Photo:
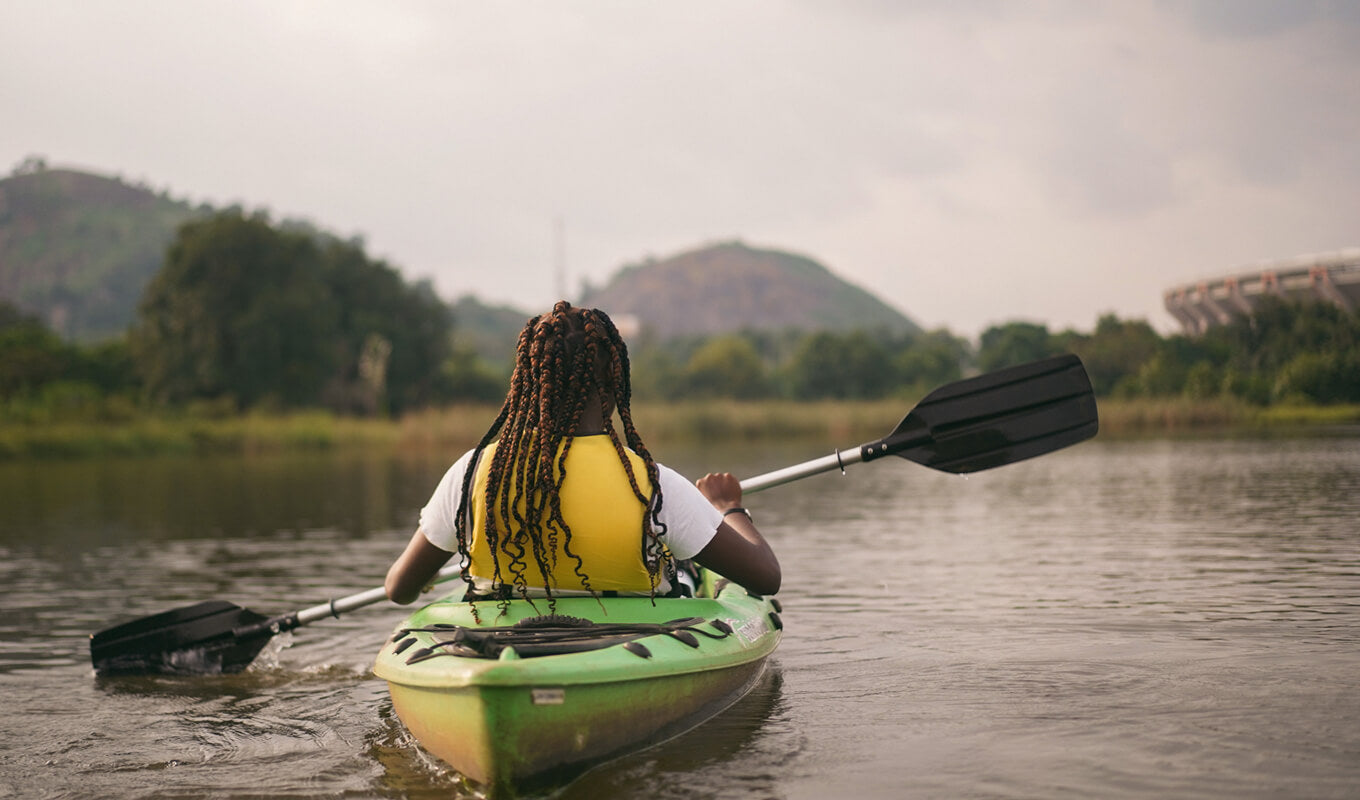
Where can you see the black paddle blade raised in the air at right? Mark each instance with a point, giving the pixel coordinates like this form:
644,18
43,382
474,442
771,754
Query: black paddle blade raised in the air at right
996,420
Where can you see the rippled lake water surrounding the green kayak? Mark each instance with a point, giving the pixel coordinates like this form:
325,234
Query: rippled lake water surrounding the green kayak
1121,620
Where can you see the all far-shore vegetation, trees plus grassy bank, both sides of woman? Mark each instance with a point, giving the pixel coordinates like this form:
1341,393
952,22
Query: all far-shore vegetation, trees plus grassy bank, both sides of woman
260,337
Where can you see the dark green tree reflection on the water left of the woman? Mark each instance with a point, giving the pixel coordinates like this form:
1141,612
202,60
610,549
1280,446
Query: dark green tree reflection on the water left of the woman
122,501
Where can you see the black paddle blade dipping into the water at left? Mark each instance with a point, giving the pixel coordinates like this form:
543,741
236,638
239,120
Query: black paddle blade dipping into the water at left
194,640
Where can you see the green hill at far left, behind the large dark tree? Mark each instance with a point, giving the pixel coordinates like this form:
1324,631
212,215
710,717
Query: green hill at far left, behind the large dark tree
77,250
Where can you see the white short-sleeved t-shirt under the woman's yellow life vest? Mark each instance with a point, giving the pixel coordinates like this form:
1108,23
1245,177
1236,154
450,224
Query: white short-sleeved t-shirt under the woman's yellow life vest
689,518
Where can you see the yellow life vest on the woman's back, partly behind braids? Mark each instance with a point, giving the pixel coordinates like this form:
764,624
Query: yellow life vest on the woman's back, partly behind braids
605,516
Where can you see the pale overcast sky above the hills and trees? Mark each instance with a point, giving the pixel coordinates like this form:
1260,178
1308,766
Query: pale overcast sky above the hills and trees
970,163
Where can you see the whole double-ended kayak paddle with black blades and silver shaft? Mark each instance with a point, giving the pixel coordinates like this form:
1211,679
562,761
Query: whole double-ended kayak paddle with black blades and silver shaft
984,422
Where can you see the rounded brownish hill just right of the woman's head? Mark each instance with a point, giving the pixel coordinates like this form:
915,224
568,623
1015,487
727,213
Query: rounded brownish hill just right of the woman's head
730,288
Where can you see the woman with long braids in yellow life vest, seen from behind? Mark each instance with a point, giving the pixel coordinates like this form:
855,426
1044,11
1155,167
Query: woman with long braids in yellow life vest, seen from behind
553,503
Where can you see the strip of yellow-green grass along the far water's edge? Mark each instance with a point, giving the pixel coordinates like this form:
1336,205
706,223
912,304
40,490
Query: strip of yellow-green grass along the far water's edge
460,427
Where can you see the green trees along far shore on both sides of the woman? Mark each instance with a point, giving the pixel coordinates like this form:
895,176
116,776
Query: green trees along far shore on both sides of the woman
248,315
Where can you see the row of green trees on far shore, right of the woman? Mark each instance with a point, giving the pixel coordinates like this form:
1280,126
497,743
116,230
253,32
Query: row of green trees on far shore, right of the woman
1285,353
